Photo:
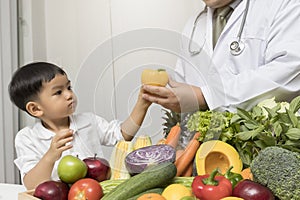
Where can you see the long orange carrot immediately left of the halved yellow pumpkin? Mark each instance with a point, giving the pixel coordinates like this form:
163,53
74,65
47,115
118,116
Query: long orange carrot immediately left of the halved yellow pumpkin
188,155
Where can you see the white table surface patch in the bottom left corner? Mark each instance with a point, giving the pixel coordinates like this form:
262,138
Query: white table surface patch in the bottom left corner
10,191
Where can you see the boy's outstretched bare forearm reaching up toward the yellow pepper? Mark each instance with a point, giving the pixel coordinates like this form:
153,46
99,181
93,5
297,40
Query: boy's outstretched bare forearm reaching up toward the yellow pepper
132,124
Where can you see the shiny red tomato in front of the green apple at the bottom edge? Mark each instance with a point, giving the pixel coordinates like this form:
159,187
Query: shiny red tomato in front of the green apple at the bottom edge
85,188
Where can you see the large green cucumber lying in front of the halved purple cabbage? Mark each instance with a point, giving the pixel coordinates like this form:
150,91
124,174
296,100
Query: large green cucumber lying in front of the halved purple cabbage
155,176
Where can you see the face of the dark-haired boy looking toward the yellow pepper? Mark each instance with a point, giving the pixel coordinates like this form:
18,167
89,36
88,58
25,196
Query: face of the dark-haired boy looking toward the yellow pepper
56,99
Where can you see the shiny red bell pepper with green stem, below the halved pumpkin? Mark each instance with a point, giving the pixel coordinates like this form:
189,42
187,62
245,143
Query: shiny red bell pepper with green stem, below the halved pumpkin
211,186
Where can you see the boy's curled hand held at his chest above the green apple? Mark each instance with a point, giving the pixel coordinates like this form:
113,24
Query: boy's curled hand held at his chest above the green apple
60,142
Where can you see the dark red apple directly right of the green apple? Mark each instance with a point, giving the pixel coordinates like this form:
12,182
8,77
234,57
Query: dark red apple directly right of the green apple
98,168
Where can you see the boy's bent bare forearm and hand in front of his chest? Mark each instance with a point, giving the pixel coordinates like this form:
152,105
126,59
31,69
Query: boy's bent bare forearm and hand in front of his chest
43,169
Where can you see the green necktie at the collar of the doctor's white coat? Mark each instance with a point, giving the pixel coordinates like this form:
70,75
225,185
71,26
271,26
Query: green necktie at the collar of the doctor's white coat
221,15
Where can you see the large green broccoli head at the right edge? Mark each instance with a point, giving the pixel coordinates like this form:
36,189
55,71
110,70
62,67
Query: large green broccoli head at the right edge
279,170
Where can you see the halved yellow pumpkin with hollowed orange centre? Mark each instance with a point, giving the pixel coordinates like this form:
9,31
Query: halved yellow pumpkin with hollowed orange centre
217,154
